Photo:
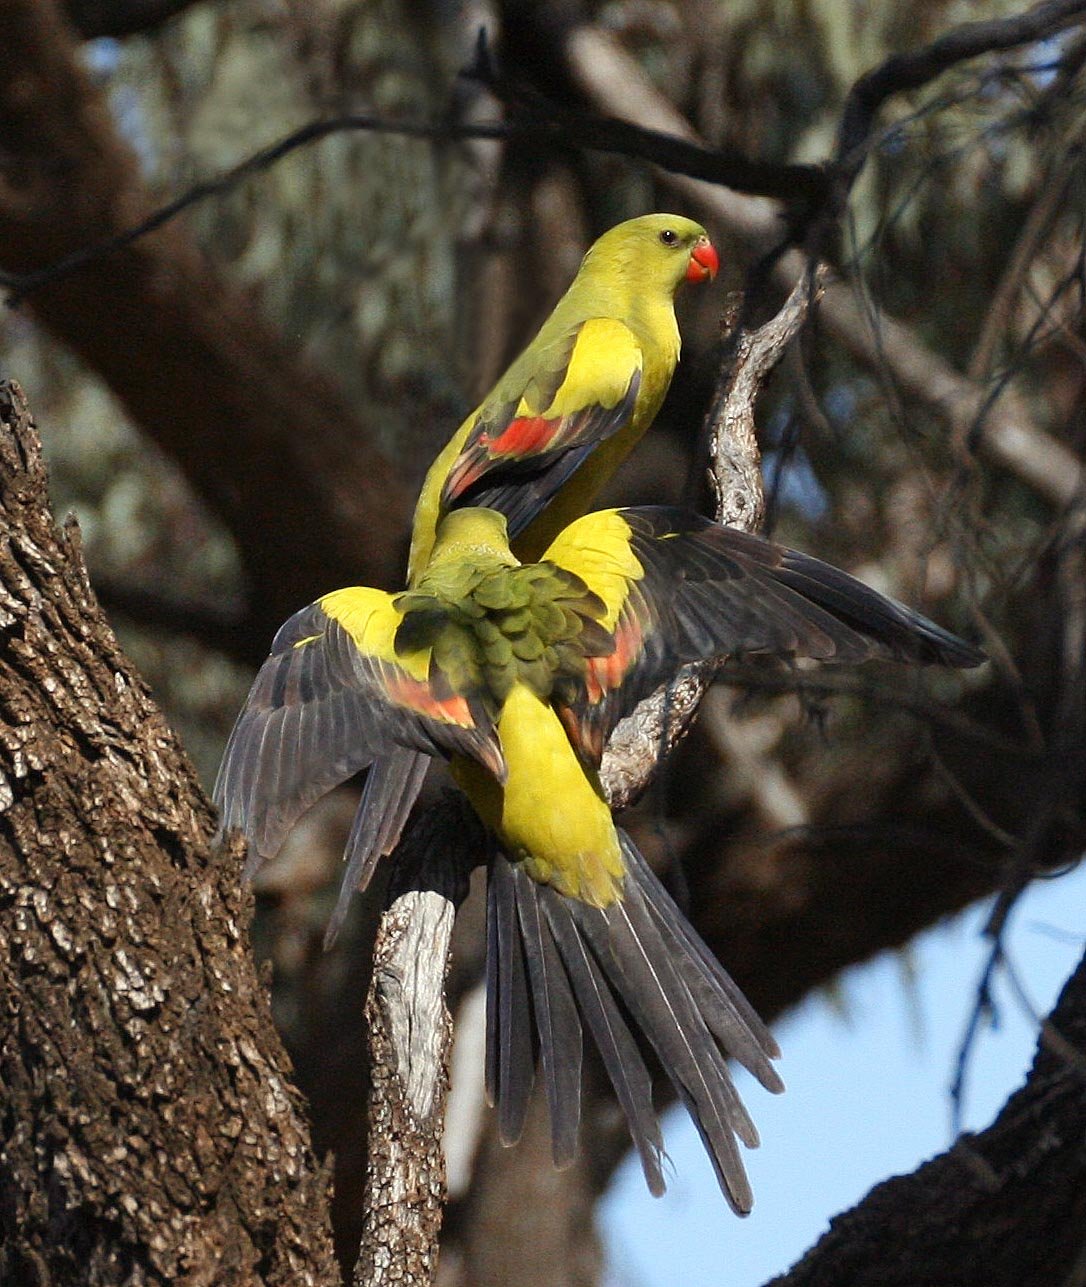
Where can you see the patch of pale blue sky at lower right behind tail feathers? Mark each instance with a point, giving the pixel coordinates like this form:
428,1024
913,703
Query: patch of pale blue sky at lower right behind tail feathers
868,1097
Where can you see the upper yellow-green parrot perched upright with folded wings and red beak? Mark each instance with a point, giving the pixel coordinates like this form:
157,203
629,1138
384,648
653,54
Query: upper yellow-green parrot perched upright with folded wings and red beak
553,432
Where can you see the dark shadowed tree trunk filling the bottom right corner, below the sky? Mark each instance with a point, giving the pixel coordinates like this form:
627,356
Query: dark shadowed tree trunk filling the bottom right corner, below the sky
1002,1209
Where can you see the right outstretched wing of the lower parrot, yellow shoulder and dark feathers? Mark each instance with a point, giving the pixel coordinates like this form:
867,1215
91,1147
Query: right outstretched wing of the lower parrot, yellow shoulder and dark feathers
681,589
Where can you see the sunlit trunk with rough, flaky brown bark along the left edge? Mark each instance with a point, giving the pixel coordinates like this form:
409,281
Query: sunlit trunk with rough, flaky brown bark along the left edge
150,1132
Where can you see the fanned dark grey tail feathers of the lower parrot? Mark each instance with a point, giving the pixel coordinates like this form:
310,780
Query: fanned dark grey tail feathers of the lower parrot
635,962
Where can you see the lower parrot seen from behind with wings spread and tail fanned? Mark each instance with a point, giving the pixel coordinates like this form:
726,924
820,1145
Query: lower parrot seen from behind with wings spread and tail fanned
518,674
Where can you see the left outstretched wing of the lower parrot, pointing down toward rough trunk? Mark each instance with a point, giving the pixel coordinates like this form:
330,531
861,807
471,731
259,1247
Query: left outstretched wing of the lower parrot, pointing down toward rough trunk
334,696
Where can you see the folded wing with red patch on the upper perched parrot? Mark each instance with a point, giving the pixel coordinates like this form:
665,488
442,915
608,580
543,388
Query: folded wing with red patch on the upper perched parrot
555,406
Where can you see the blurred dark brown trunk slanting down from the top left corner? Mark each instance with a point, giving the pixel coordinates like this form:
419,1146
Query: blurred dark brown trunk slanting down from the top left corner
270,445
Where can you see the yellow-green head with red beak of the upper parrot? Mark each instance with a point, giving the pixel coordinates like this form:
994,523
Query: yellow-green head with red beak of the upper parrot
658,250
